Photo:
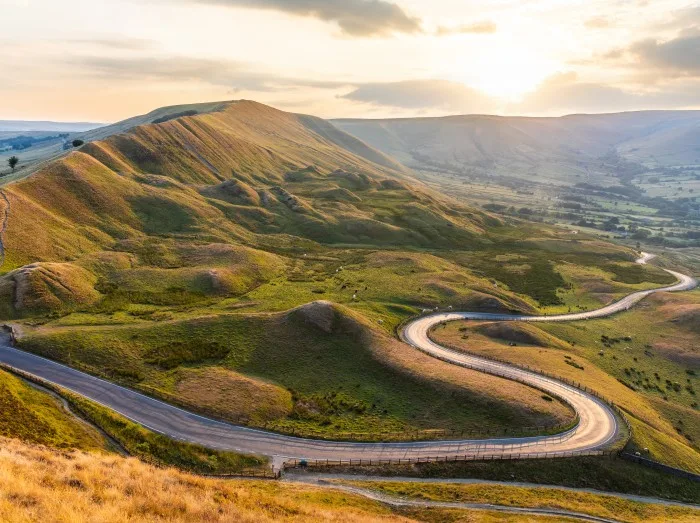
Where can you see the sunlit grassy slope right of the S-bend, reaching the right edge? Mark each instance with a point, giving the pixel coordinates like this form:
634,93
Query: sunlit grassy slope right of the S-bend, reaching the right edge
640,359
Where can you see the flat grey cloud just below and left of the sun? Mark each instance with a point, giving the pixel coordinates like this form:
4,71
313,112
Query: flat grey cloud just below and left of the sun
423,94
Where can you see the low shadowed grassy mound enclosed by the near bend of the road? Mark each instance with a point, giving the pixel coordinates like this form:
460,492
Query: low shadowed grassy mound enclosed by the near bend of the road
318,370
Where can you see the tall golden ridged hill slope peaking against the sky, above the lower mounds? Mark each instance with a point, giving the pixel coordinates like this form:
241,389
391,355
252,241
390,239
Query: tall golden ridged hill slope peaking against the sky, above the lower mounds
224,175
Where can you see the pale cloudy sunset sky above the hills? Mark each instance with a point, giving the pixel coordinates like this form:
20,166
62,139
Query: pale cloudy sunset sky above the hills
106,60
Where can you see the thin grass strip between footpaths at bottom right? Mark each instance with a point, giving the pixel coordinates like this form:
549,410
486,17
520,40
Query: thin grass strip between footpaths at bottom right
582,502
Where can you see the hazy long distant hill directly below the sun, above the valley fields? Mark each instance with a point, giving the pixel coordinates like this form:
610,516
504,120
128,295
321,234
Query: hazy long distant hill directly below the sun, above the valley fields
550,148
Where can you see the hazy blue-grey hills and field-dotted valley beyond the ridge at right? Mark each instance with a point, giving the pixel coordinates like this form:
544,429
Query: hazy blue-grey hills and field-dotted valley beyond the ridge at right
627,175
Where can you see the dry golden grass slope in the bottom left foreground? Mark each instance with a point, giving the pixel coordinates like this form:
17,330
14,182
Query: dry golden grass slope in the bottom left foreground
38,484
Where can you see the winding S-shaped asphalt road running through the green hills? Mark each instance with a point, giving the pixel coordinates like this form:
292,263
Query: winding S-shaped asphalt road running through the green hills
597,425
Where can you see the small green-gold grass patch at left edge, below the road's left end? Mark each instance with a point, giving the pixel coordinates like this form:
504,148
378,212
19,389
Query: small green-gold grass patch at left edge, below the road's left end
35,416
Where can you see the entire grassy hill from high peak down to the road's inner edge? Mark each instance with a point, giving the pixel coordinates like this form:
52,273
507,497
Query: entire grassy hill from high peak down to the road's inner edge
185,251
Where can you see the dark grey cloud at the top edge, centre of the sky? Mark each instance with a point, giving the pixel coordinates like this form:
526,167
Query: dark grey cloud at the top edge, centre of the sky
354,17
